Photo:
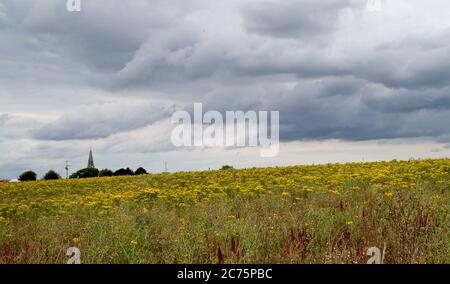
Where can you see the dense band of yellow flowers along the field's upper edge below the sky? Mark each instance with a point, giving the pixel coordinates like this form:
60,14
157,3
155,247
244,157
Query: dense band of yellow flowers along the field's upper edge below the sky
189,189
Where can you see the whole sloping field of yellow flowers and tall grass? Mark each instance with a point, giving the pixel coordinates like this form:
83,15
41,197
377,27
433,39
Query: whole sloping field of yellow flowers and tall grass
303,214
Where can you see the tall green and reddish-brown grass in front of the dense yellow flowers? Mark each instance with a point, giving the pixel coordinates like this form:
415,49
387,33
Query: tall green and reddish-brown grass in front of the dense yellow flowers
409,226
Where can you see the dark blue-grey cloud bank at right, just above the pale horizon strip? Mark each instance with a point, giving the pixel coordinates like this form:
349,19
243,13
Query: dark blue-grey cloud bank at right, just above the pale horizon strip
362,112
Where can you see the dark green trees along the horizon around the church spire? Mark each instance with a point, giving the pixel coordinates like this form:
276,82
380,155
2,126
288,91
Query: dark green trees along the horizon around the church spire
83,173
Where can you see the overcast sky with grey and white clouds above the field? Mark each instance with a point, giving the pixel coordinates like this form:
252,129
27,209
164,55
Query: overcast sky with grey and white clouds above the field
351,84
